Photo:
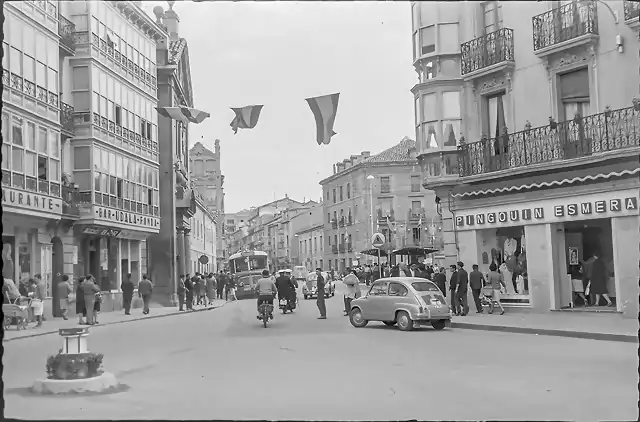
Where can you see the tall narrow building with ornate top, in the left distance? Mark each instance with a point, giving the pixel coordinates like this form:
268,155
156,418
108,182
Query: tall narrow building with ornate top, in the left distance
206,173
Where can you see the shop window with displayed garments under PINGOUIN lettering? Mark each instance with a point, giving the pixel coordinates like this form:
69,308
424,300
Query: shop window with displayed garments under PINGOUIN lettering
505,247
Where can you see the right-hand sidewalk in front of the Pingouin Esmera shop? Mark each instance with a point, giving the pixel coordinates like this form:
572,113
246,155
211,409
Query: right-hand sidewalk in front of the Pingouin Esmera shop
596,326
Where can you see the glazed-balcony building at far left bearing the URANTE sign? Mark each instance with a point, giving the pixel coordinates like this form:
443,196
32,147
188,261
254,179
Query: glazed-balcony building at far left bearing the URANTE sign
38,198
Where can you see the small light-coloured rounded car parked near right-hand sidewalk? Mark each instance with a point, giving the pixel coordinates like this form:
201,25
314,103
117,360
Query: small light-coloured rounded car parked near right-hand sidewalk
405,301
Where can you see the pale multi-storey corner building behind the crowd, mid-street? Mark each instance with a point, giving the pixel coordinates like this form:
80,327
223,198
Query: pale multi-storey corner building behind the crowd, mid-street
380,193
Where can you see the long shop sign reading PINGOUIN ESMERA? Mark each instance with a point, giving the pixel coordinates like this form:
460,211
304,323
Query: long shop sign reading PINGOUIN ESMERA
550,211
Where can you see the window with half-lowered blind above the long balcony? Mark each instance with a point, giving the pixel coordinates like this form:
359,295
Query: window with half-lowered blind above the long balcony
574,94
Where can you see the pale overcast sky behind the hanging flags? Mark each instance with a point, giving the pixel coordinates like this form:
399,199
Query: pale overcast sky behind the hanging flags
280,53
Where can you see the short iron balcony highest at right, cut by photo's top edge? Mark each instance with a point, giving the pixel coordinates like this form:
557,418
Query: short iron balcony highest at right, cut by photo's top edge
564,27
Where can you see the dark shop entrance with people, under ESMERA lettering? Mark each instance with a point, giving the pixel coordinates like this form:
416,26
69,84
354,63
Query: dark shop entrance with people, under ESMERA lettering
589,259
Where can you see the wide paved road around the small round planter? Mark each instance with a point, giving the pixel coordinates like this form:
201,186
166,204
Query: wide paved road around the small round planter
223,365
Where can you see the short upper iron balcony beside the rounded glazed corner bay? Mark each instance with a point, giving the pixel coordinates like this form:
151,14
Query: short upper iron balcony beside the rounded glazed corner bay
490,53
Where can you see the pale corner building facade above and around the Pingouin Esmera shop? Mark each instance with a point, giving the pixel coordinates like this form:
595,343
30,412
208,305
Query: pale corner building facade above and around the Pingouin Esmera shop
547,169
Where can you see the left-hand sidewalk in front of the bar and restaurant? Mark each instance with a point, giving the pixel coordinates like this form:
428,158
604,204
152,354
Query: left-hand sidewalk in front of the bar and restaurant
51,326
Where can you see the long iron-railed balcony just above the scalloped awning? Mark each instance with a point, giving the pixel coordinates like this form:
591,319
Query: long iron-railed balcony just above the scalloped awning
580,137
